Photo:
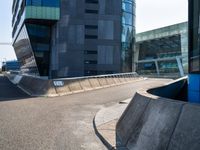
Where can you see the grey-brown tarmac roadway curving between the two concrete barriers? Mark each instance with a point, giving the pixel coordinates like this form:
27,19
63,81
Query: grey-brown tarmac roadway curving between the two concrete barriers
60,123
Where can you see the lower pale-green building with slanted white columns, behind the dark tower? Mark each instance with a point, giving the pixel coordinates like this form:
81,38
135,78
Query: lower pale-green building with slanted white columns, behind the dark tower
162,51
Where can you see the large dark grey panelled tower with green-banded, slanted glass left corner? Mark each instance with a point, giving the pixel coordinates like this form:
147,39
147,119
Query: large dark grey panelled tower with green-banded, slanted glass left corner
72,38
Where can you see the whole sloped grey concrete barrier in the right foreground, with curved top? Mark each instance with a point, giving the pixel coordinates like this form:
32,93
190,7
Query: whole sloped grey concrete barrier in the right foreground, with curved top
156,123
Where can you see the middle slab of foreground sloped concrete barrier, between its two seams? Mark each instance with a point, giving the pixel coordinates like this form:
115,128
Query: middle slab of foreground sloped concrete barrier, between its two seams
154,128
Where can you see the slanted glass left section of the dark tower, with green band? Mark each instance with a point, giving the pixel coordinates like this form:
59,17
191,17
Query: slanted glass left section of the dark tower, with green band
32,42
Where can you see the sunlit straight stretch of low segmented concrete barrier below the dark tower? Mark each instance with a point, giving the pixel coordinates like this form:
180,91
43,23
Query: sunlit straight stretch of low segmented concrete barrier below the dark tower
73,85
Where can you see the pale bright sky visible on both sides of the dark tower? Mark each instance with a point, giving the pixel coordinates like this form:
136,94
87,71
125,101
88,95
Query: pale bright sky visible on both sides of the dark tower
150,14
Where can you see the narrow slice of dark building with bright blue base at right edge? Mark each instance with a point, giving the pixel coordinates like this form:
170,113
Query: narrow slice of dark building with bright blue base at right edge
194,51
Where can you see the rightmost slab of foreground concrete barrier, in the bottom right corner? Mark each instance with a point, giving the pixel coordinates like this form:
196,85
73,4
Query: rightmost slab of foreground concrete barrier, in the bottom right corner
187,133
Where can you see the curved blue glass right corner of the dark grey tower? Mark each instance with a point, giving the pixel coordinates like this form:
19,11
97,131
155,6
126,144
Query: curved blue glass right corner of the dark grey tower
128,32
